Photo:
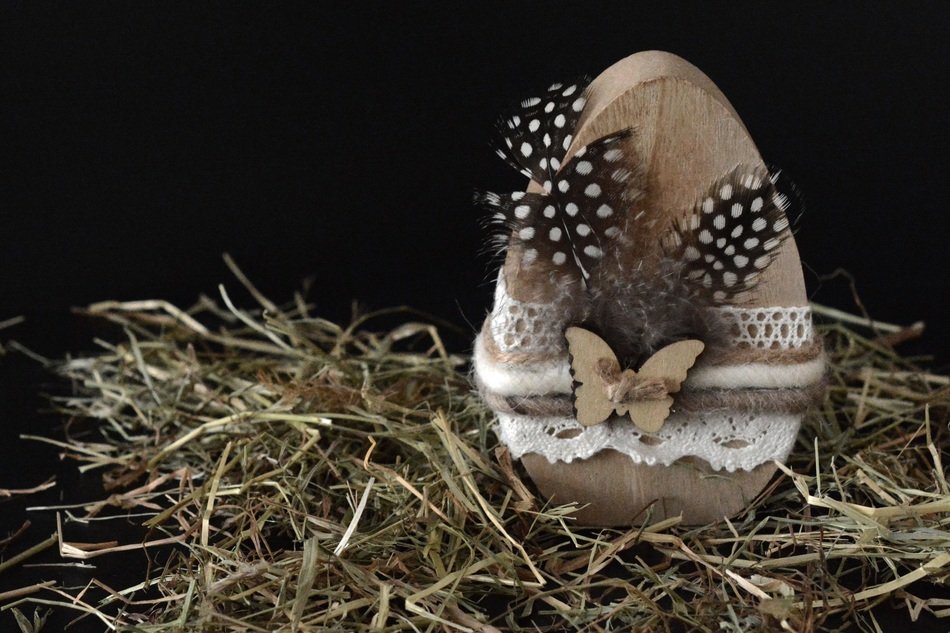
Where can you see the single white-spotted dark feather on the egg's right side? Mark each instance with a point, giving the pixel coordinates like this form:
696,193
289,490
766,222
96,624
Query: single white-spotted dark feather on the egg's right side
733,233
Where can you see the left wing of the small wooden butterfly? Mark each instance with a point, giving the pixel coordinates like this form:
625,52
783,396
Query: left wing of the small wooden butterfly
590,399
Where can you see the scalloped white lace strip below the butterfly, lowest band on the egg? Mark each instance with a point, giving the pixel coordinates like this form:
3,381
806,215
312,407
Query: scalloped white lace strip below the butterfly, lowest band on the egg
726,441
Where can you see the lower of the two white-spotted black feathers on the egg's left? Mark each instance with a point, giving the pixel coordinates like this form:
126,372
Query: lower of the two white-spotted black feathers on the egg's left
570,226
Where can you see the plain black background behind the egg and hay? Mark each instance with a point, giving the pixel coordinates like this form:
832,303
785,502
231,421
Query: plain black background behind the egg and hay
138,142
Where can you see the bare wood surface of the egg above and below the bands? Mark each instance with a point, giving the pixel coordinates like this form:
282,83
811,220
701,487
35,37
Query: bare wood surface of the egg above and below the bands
687,136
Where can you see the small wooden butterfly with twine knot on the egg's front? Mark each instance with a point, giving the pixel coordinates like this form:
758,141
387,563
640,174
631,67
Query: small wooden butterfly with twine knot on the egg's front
602,388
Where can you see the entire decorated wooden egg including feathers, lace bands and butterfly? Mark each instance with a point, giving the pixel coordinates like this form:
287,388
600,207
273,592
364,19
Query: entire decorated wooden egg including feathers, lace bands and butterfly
650,345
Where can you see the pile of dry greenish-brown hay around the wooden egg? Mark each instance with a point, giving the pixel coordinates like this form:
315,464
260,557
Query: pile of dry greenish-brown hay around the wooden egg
314,477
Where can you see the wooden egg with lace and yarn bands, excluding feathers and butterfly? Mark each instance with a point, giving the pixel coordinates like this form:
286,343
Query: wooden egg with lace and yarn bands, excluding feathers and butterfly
709,460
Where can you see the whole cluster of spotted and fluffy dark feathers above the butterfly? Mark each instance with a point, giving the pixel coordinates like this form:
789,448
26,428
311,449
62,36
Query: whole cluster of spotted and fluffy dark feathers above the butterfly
586,221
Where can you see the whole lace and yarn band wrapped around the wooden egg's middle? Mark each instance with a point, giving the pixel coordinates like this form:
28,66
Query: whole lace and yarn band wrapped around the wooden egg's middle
740,406
